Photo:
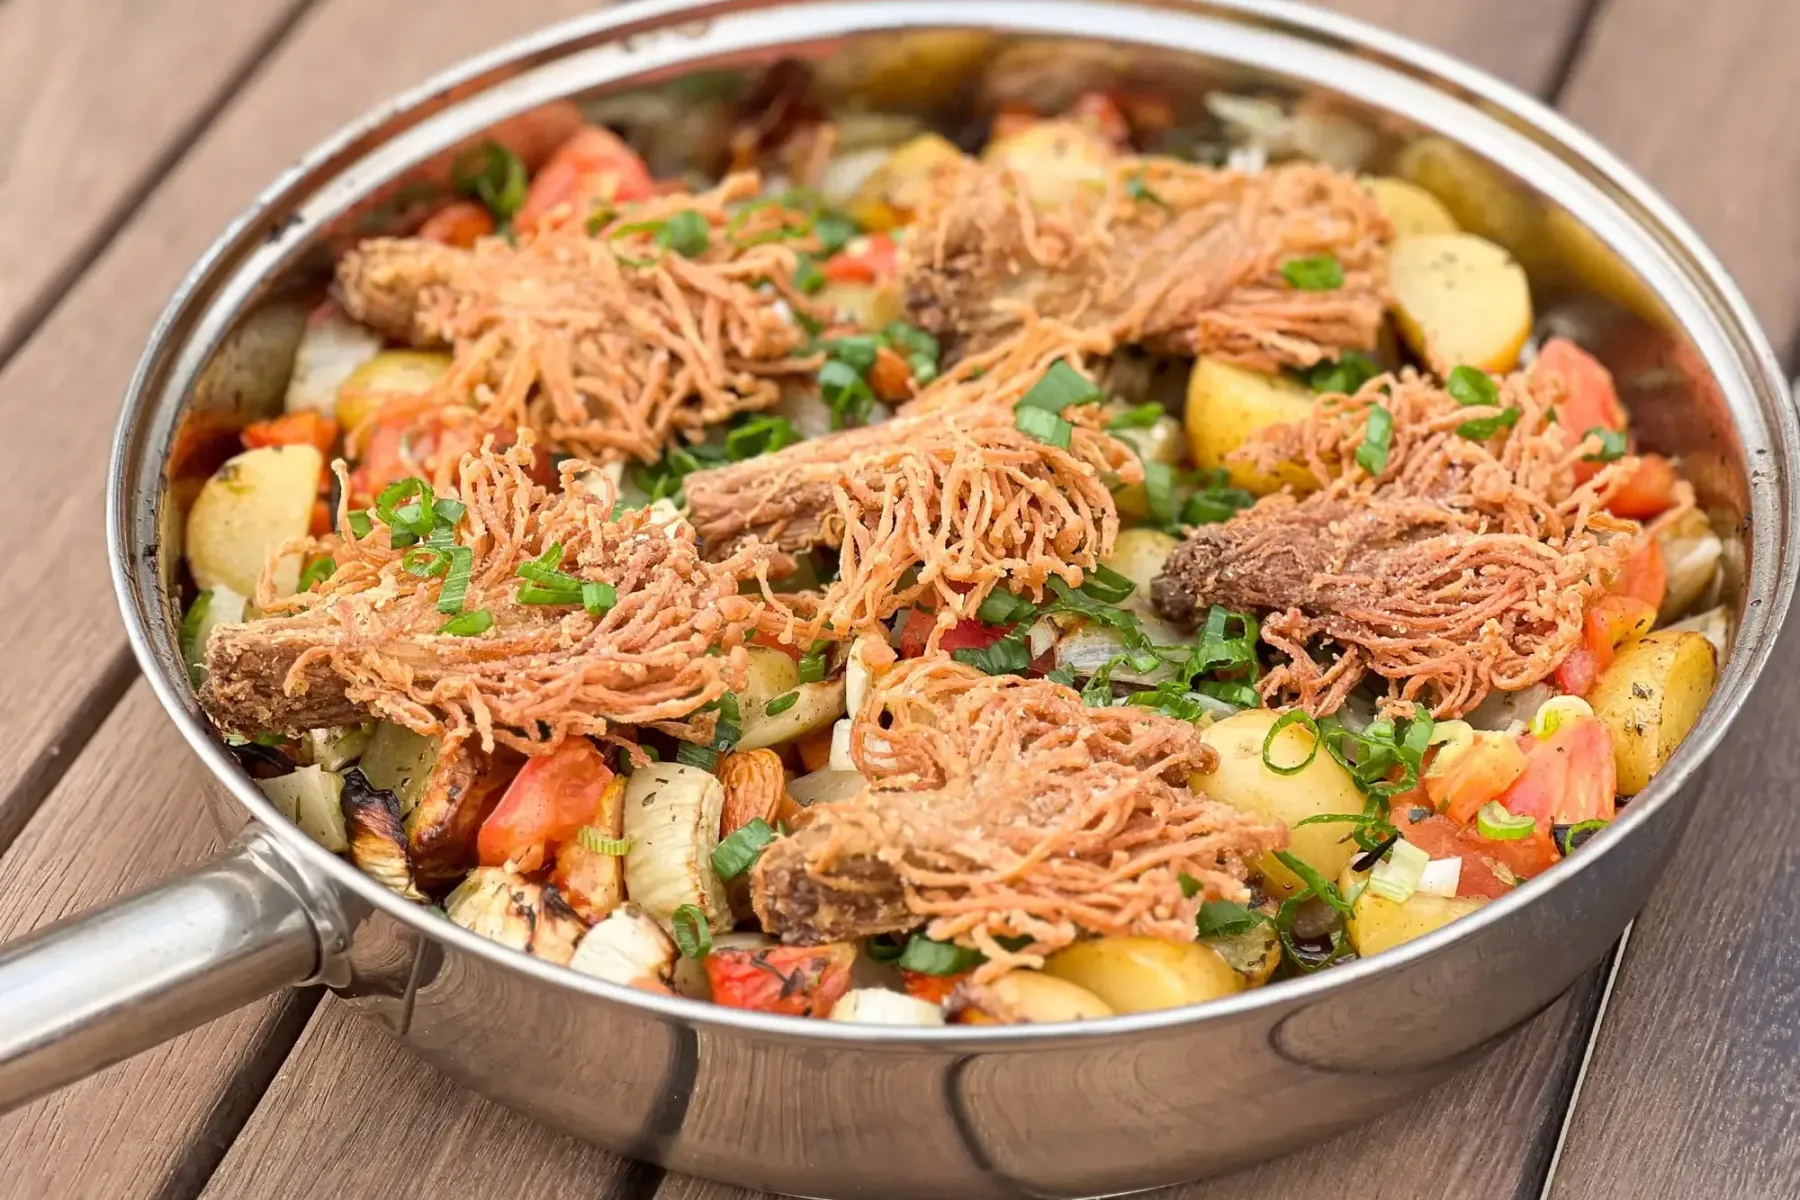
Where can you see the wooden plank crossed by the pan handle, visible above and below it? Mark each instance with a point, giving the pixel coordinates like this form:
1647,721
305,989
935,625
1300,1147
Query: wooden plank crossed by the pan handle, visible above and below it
154,1125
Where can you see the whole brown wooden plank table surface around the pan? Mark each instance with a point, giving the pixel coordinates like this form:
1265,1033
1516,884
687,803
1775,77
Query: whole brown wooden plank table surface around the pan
130,134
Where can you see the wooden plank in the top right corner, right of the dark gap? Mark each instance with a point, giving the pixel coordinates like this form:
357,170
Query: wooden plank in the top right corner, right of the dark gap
1702,100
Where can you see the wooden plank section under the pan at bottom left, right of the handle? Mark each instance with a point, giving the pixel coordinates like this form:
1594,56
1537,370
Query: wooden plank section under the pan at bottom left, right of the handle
357,1118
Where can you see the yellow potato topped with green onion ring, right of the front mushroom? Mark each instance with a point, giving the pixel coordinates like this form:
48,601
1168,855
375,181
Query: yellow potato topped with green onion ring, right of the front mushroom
1320,787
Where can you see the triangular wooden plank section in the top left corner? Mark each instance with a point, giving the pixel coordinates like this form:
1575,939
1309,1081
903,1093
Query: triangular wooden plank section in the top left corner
94,98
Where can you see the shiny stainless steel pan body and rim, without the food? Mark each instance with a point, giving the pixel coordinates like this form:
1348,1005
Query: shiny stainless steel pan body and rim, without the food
1108,1107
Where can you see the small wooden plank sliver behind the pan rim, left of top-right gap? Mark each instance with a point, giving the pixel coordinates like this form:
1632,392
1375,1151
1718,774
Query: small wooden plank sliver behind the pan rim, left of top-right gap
1522,42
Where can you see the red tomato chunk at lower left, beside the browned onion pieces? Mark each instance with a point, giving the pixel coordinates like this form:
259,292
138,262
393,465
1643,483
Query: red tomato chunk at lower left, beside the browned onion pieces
544,807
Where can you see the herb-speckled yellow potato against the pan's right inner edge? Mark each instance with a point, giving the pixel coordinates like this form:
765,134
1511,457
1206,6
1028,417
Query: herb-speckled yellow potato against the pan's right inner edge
1650,701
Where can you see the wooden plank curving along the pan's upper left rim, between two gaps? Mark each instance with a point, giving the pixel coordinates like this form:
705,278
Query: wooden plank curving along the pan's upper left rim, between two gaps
58,397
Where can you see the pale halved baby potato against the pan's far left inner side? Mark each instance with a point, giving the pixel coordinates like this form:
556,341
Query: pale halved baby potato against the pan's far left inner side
251,506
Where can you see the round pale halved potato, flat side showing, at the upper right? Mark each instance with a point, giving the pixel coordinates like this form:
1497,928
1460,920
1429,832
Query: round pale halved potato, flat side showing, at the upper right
1461,301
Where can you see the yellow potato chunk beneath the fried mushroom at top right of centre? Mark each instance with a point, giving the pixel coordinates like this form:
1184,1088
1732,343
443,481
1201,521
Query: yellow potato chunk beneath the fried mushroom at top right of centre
1227,406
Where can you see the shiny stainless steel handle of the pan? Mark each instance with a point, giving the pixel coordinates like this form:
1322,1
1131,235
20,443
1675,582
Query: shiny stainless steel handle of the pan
105,985
